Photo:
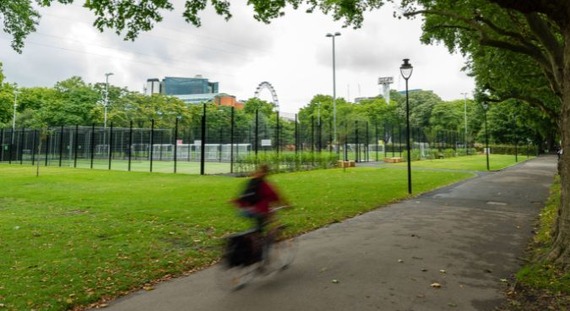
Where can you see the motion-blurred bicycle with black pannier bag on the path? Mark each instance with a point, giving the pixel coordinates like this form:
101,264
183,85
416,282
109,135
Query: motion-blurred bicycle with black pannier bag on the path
250,253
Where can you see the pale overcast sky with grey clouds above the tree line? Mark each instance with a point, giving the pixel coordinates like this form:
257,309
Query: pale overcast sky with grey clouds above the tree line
292,54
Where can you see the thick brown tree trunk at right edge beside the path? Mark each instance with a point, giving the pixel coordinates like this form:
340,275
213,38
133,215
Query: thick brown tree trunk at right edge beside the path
560,253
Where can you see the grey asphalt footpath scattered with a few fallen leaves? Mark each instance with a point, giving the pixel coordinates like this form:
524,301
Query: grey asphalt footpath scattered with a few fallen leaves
455,248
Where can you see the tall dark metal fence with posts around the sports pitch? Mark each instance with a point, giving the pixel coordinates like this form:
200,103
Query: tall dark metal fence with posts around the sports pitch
220,146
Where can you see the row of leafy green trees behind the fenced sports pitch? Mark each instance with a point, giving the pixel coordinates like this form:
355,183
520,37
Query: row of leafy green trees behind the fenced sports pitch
74,102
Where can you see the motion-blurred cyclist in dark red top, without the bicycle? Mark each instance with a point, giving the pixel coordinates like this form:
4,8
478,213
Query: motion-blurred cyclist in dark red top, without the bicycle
256,200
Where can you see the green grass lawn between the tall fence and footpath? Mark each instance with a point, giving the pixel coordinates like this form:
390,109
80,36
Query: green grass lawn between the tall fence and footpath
71,237
